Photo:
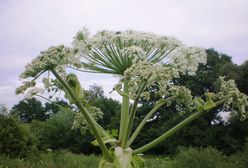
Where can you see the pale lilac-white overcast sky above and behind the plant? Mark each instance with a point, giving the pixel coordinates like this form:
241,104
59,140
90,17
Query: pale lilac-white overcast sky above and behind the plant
30,26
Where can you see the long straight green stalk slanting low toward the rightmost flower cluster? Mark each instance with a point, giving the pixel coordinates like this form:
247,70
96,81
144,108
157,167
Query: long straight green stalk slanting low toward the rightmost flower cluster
175,129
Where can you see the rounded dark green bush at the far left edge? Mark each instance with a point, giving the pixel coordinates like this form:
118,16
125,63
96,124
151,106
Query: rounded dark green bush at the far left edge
16,139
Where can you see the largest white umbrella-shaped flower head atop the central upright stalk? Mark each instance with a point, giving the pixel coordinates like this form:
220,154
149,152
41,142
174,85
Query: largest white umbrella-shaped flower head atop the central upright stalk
129,46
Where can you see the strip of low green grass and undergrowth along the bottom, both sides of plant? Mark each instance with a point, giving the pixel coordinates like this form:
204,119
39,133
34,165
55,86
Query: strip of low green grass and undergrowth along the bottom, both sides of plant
186,158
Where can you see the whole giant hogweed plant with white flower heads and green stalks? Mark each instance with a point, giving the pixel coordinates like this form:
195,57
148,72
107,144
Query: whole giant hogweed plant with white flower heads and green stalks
140,61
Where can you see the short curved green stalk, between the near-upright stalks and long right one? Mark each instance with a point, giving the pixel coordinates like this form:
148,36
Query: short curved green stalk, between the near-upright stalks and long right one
143,122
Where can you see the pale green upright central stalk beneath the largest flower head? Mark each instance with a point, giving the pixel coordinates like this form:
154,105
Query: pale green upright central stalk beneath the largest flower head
124,112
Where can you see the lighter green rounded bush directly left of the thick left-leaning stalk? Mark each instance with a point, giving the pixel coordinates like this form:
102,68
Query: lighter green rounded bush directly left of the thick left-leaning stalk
57,134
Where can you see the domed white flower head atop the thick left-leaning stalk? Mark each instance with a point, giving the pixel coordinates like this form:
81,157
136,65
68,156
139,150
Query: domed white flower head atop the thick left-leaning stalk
54,57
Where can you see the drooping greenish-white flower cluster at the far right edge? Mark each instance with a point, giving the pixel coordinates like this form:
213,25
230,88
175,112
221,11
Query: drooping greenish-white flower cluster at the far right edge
237,101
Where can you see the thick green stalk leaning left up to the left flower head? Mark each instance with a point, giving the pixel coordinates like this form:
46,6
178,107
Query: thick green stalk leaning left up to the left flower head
87,116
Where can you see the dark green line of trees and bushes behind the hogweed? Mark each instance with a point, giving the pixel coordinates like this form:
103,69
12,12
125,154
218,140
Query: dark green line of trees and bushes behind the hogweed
32,126
